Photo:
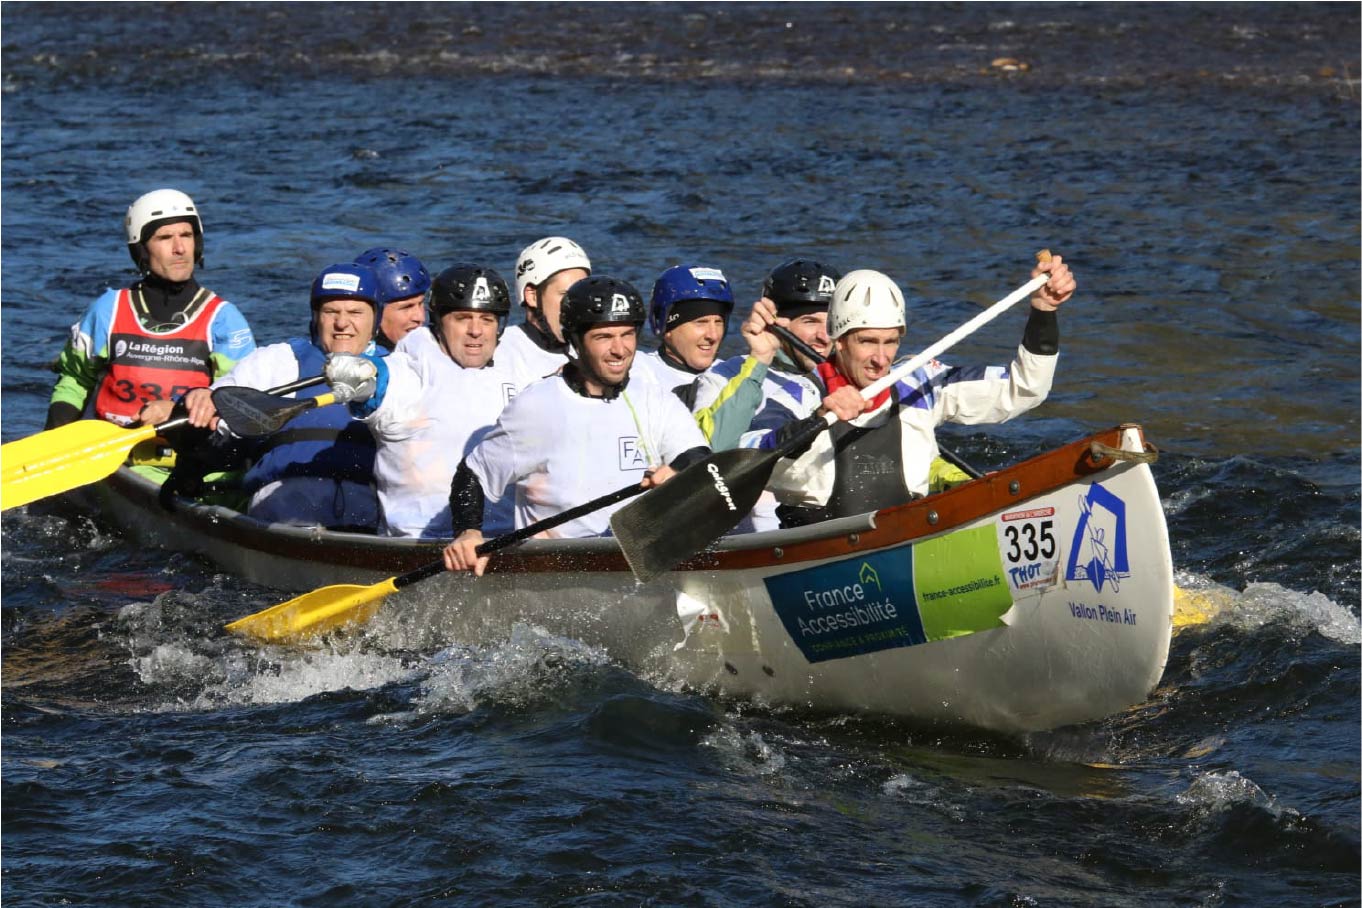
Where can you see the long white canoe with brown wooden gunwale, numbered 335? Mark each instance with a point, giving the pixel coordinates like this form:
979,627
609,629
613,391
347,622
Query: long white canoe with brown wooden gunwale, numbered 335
1037,597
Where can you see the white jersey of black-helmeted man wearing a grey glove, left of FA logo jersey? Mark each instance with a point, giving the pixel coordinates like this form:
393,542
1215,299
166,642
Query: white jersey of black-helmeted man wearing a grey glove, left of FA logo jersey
431,415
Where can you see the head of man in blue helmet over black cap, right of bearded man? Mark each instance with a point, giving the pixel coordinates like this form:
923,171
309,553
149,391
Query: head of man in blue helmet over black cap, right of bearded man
688,315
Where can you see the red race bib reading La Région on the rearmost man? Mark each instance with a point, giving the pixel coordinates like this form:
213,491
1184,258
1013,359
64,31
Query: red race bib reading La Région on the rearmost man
155,366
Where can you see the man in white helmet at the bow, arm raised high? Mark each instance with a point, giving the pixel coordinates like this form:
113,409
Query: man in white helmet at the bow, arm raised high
881,453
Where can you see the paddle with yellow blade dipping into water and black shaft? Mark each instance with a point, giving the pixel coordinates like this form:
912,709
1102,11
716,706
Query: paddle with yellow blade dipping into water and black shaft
332,608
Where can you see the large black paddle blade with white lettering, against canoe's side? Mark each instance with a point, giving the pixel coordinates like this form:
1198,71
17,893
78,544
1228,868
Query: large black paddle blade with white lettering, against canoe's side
693,510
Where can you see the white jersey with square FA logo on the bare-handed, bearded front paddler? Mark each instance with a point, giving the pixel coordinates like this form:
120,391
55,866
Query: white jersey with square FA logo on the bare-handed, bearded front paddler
560,450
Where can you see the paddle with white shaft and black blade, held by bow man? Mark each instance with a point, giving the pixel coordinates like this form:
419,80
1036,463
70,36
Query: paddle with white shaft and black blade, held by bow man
708,499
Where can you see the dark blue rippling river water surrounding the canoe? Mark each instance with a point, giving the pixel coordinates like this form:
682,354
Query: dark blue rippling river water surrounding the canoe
1197,164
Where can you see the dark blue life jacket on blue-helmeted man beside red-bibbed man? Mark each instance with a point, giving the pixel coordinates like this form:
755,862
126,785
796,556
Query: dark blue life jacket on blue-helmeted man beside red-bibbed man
323,442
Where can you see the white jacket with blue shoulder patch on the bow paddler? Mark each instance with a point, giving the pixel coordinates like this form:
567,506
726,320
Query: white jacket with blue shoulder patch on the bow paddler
930,397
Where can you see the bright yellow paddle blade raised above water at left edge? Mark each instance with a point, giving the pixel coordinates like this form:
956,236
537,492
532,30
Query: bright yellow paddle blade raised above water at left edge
63,459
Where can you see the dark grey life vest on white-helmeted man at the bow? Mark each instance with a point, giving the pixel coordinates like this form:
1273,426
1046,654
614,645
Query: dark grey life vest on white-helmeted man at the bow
868,473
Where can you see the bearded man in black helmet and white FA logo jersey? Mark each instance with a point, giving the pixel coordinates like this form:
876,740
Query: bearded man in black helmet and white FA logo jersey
578,435
